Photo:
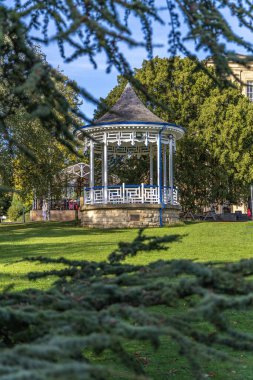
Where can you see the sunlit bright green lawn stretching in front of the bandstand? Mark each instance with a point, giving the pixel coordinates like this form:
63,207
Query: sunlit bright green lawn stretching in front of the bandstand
201,241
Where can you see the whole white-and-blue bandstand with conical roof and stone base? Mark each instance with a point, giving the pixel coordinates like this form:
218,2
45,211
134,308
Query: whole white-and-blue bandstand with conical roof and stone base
129,128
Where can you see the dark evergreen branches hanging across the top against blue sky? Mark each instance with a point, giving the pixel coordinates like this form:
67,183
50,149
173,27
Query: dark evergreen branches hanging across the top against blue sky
94,26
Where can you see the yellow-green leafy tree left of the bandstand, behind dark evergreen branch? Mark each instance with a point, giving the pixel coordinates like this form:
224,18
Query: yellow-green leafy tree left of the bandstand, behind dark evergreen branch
40,175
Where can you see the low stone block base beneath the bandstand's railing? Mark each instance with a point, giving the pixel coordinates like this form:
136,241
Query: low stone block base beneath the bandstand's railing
128,215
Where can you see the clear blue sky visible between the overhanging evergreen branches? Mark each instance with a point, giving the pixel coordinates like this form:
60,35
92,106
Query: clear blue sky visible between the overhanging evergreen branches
97,81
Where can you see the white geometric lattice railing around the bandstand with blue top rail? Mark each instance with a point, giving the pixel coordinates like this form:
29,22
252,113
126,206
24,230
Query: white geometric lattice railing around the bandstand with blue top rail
120,194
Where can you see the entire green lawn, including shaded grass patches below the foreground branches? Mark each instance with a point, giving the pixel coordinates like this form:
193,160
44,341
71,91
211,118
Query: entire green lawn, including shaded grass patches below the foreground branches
199,241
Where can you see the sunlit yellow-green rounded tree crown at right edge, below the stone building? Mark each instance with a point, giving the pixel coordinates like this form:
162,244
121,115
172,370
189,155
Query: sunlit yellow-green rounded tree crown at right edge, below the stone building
230,137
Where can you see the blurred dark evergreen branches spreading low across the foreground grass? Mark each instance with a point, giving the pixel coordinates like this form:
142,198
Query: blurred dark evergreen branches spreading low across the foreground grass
98,306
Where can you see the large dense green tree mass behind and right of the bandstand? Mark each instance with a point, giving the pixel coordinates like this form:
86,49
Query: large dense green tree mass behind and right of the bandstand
214,160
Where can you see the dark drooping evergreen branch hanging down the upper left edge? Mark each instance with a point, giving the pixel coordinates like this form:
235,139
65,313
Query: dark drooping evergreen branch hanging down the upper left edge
28,83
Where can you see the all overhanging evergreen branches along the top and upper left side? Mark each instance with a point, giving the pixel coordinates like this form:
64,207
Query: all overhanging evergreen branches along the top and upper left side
93,27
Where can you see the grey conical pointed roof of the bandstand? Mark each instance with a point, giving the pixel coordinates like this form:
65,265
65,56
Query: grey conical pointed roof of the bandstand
128,108
